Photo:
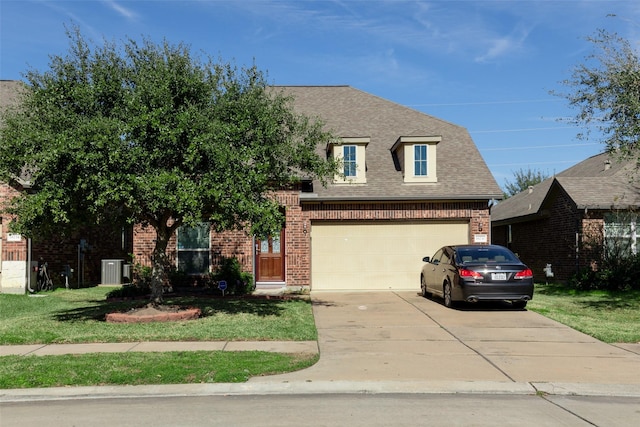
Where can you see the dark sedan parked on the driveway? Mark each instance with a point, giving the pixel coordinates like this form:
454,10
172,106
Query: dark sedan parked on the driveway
475,273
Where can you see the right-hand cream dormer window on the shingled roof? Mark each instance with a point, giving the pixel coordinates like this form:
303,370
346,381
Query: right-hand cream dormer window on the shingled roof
416,156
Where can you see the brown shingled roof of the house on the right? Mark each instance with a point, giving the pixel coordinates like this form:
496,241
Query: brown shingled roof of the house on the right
599,182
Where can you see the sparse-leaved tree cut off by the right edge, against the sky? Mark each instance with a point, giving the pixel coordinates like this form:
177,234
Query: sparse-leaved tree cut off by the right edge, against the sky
605,90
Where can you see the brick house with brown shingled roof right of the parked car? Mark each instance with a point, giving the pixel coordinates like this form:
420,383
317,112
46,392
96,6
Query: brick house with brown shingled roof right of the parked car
564,220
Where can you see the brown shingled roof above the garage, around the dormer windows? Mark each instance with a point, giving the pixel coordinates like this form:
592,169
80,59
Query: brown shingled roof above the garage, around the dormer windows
348,112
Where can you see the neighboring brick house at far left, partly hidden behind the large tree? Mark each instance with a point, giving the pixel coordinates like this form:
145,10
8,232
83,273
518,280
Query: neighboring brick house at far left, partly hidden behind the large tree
83,252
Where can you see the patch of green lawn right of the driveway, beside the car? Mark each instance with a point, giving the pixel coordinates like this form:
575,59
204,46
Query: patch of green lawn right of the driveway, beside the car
612,317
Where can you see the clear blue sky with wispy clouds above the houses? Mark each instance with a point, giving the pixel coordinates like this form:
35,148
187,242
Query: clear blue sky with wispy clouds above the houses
485,65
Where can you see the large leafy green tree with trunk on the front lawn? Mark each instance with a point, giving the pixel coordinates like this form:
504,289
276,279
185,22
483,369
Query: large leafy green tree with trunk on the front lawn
149,133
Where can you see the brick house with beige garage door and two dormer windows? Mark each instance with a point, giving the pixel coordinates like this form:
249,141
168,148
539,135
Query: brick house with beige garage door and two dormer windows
412,184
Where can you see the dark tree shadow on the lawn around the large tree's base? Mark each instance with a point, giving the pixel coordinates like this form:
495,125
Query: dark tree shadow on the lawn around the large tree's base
208,306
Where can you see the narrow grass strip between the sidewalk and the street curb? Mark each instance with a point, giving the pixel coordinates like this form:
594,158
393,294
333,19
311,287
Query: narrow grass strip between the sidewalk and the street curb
145,368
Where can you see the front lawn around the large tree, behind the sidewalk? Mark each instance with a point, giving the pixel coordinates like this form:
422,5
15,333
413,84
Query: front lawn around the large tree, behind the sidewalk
78,316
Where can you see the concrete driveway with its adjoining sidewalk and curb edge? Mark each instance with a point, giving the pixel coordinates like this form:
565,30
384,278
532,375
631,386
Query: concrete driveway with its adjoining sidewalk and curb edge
399,342
